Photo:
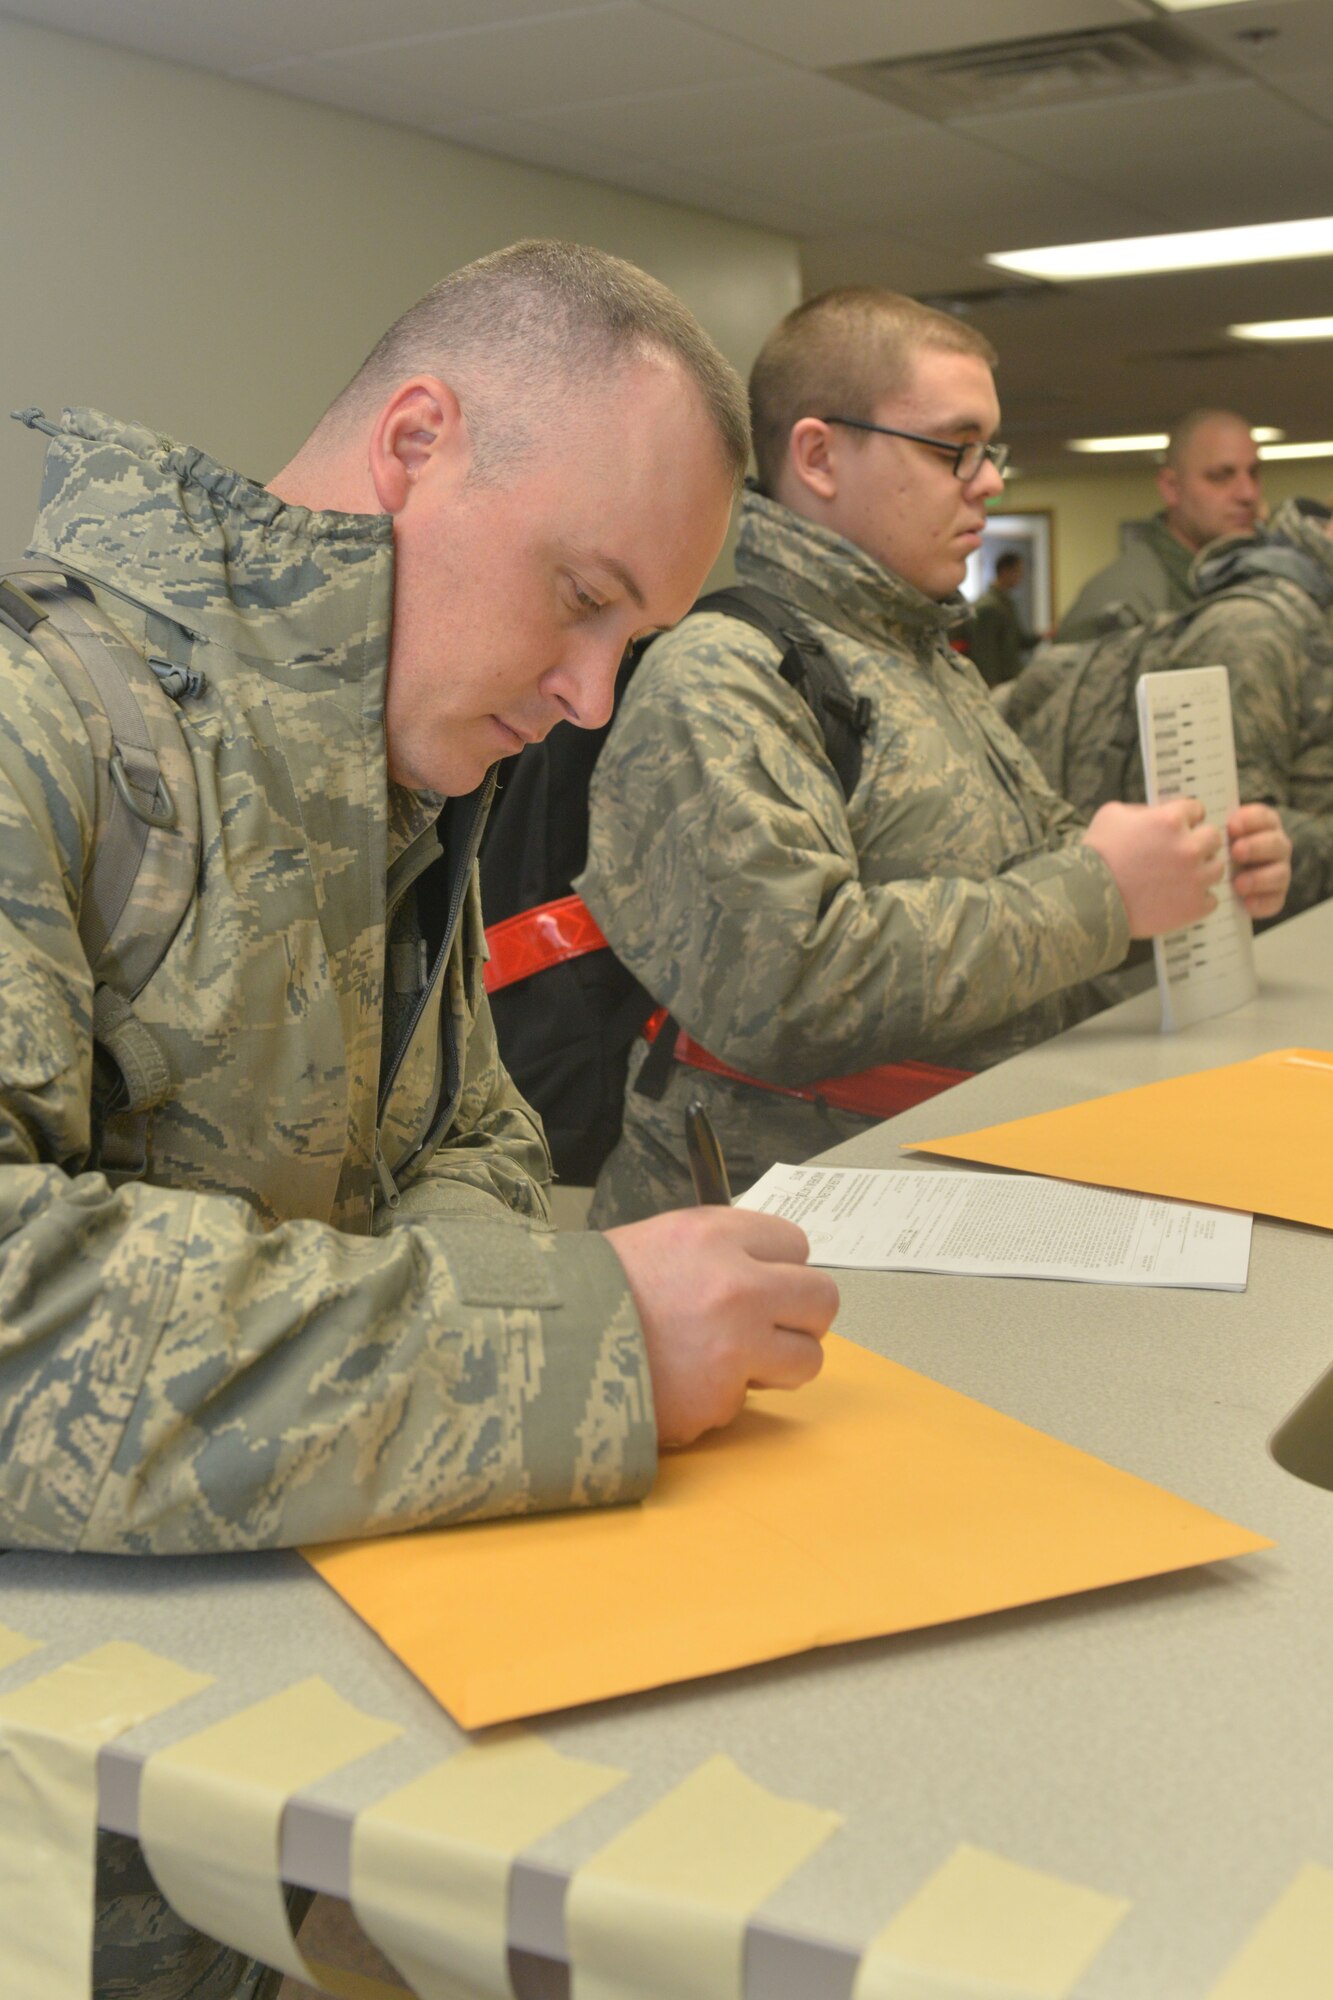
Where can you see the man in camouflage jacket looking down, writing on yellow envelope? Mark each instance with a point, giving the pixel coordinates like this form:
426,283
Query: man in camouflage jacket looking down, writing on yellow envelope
305,1285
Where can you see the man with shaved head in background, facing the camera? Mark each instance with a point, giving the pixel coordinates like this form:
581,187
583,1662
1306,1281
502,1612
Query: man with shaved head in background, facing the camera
1210,487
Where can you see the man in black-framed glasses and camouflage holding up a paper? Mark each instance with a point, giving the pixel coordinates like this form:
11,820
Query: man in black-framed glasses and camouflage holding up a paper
830,959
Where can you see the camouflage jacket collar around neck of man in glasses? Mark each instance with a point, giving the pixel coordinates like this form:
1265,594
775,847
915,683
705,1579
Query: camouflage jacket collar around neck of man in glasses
834,581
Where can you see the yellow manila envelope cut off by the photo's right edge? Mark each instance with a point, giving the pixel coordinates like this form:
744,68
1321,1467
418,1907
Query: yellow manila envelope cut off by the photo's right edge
1252,1135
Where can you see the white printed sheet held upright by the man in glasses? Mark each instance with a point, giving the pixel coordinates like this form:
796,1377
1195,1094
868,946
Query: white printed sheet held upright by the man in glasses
1190,753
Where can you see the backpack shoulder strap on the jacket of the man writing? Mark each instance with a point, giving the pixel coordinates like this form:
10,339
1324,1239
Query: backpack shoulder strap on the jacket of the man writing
147,803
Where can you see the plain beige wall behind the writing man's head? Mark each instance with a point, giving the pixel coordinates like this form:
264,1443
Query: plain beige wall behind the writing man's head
215,261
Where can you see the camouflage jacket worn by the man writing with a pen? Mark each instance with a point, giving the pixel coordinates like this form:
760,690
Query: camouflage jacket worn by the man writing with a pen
245,1347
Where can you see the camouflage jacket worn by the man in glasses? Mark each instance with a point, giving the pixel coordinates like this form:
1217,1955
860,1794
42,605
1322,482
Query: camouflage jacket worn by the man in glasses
940,915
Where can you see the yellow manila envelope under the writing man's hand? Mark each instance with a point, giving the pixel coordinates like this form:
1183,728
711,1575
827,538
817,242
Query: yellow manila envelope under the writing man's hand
876,1501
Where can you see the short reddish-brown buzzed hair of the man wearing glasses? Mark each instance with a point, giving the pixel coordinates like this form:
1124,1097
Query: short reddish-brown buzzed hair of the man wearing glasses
844,353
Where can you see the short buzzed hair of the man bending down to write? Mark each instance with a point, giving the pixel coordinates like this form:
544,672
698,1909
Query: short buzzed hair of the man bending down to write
523,327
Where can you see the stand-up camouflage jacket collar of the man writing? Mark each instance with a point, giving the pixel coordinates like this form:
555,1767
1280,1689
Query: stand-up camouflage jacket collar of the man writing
211,551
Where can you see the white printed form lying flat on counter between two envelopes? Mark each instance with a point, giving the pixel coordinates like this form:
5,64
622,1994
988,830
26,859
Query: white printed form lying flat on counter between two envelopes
1006,1227
